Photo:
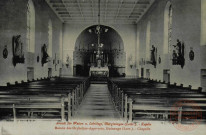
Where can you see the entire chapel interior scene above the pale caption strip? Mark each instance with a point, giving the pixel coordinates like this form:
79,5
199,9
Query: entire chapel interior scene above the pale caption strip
127,60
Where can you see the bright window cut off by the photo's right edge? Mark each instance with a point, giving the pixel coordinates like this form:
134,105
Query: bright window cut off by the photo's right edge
203,22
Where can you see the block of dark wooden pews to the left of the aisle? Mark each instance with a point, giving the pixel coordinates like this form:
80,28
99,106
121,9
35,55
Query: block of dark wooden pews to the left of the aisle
26,97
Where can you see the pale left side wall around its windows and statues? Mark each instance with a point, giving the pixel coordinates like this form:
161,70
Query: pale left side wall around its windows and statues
14,22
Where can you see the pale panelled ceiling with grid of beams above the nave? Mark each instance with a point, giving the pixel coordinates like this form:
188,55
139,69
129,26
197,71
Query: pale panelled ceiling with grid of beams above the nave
111,11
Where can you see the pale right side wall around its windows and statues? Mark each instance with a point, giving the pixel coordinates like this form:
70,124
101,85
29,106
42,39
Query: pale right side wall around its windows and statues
185,27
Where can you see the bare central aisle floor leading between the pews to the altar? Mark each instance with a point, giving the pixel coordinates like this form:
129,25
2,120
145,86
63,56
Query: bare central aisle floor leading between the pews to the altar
97,104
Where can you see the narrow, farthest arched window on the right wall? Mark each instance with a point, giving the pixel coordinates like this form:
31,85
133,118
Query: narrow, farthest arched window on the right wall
148,34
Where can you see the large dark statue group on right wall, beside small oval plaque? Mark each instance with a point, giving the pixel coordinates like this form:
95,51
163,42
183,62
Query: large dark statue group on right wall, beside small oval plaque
178,54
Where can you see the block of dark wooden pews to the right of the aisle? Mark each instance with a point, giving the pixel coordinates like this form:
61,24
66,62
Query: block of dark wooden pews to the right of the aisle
136,100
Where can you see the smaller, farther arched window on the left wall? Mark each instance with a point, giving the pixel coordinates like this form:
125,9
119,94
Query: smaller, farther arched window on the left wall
50,38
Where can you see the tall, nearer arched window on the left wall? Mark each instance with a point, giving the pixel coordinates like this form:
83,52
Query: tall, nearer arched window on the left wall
31,26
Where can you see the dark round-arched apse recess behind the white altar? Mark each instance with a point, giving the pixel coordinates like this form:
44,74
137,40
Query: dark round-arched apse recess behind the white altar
111,51
